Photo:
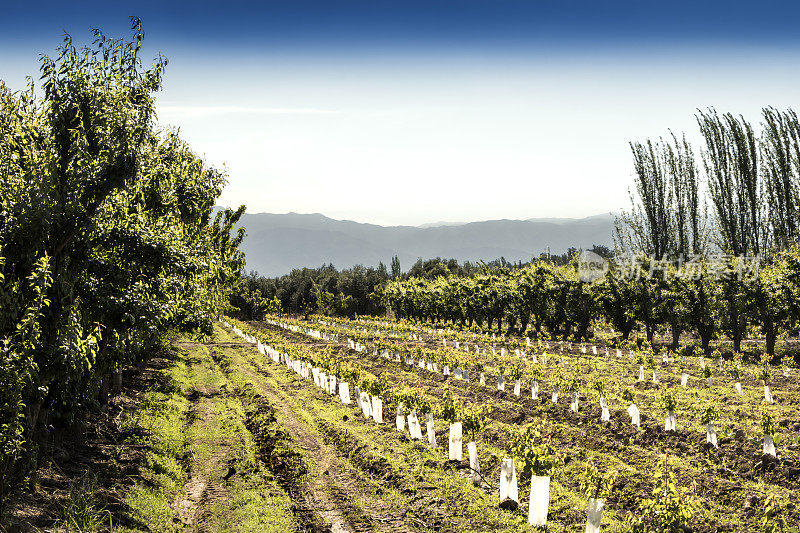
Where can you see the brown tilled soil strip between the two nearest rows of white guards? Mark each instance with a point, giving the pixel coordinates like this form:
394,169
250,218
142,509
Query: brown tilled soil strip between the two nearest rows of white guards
724,476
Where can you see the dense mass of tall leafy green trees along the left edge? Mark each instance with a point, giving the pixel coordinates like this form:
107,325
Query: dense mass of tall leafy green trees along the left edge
107,236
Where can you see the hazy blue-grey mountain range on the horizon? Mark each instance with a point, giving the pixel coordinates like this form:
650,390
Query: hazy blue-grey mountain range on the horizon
277,243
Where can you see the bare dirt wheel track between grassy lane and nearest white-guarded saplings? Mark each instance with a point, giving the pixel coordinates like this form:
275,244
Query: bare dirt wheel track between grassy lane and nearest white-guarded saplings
333,493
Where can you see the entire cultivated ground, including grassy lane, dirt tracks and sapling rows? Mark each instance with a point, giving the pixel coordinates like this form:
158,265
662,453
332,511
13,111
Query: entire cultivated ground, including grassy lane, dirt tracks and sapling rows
218,436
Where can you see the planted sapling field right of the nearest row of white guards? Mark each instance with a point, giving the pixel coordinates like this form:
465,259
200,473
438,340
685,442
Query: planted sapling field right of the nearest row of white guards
729,483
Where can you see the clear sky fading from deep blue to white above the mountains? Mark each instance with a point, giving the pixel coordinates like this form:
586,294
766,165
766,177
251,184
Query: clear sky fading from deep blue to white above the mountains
412,112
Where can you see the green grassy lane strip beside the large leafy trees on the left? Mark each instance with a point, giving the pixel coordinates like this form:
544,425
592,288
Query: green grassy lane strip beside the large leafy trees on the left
193,428
